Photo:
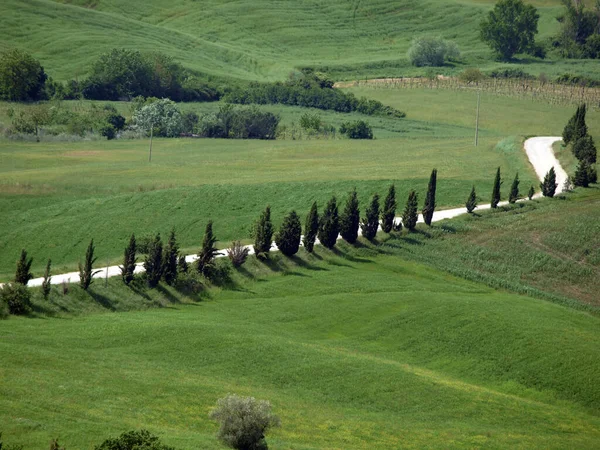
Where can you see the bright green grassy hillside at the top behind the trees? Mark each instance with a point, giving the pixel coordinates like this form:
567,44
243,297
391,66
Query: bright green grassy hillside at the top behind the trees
260,40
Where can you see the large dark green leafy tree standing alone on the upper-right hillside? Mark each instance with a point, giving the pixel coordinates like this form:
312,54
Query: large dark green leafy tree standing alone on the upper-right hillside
510,28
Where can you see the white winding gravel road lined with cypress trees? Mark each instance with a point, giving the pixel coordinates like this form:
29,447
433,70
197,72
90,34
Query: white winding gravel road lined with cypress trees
538,149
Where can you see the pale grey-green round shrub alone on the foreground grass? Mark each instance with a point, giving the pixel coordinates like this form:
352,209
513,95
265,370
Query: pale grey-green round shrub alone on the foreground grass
243,421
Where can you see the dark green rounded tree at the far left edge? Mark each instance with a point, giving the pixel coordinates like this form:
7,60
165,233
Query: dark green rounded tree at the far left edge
22,78
